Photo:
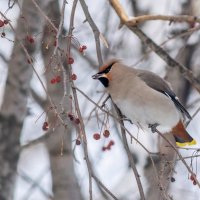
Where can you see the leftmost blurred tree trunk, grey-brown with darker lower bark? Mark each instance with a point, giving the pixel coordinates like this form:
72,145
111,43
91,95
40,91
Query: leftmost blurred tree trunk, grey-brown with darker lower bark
14,110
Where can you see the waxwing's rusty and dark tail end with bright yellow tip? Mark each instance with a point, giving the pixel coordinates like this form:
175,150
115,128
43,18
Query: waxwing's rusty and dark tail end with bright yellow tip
181,136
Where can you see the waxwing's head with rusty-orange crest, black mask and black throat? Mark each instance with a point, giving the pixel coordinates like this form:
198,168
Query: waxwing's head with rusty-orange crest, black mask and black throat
105,73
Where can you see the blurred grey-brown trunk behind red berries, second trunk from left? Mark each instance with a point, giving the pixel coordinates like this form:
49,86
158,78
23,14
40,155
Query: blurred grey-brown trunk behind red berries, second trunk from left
65,185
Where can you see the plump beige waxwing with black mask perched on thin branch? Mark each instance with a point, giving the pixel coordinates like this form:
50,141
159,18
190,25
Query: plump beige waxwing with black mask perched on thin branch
145,98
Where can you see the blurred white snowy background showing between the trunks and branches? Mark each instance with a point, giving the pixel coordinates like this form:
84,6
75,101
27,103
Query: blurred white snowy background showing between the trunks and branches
110,166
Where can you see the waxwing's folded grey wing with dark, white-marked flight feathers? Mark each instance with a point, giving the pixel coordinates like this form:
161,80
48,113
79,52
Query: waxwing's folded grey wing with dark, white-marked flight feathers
159,84
